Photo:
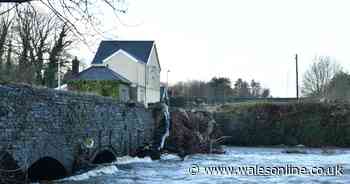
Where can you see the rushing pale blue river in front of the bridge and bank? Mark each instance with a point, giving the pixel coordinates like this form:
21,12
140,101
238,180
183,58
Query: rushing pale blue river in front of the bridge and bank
194,169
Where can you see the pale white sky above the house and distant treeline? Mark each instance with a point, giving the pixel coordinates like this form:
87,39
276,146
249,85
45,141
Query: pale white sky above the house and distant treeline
249,39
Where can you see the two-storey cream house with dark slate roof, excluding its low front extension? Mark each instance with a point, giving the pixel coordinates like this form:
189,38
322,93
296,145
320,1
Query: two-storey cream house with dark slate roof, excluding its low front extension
138,62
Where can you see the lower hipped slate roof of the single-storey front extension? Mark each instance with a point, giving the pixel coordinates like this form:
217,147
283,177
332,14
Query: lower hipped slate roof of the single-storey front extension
99,73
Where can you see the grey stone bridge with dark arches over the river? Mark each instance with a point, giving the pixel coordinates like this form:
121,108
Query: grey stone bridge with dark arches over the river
48,134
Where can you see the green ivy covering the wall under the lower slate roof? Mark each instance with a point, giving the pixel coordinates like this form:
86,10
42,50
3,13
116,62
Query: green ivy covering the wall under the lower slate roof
101,87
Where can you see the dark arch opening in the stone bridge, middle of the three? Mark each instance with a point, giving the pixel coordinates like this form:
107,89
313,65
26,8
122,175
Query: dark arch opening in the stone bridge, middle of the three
46,168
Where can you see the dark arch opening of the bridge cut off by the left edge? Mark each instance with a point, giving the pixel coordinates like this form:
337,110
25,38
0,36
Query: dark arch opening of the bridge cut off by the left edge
10,171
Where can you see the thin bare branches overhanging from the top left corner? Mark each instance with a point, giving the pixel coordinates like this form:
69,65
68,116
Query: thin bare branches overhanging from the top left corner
73,12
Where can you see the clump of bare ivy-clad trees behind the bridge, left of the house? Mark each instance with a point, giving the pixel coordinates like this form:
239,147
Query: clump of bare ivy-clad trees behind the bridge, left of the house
36,42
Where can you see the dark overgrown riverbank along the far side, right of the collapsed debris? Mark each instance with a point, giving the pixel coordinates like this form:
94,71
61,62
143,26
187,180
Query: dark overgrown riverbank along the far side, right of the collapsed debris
266,124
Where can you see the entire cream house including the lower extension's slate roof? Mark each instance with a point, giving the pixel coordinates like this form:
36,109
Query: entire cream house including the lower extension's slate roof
134,64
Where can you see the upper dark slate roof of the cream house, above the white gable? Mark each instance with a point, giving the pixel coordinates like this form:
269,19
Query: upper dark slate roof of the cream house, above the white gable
138,49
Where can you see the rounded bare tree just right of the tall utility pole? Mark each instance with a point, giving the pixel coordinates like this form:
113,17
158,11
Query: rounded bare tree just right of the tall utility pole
318,76
